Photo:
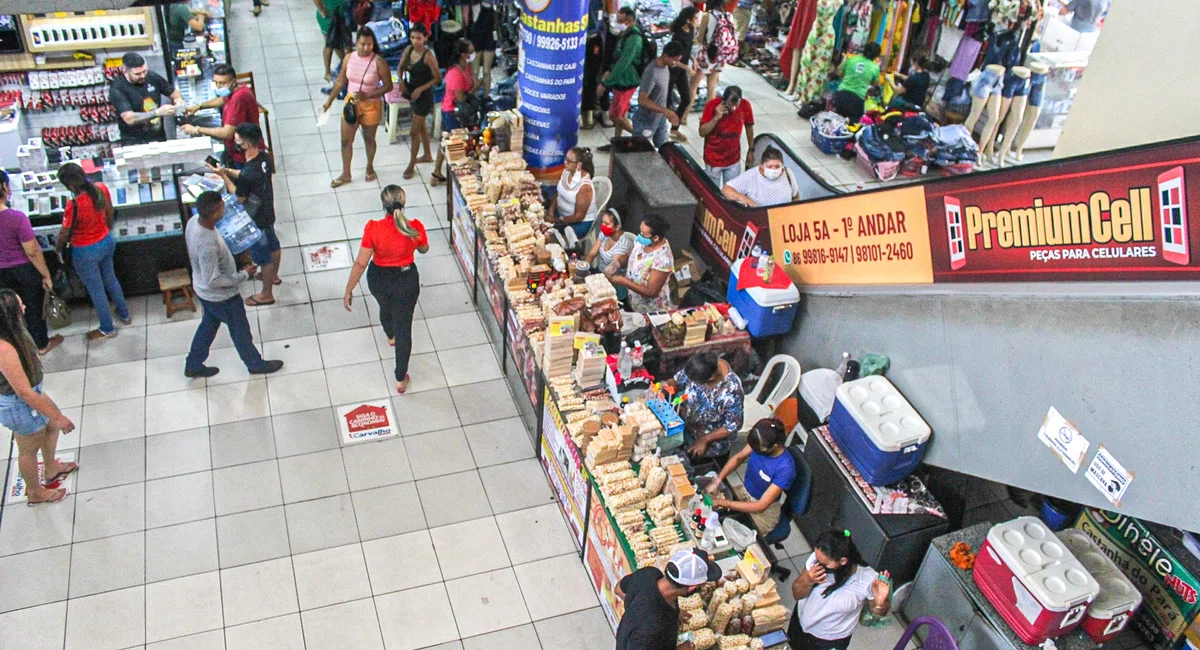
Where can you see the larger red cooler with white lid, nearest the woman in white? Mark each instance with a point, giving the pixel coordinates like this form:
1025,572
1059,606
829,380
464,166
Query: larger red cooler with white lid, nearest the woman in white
1034,581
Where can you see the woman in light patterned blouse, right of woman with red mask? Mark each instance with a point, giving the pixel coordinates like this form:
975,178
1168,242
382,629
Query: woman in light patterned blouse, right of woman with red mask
651,263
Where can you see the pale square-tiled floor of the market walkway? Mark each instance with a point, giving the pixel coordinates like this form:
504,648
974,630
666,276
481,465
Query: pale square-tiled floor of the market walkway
225,513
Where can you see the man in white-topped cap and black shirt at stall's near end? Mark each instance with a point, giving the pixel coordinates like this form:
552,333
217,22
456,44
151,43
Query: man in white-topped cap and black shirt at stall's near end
652,600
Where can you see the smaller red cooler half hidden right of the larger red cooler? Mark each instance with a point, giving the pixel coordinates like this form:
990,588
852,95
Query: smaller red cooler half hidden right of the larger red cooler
1119,598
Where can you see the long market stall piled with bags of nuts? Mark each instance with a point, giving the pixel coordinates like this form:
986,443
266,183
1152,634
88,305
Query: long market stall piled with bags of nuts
605,448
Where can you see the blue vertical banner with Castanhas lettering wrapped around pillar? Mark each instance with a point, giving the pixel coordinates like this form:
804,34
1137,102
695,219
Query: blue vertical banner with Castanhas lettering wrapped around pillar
554,38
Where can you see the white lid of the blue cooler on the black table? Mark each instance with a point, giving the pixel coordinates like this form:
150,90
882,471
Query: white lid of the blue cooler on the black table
887,418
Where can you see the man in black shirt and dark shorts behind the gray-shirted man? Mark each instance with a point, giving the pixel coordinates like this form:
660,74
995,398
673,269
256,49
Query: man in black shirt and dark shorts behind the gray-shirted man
253,185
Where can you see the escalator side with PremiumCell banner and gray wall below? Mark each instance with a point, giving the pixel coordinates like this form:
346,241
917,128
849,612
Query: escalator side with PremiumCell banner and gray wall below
998,296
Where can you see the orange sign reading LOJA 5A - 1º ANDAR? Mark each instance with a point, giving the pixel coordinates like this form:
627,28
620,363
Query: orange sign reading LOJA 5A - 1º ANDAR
880,238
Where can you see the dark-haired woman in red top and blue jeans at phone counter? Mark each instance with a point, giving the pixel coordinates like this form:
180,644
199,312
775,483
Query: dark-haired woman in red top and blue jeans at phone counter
87,225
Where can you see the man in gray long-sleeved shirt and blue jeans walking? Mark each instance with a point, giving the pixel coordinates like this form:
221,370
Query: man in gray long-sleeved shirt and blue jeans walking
215,280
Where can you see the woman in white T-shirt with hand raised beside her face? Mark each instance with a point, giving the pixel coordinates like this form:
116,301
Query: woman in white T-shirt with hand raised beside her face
831,592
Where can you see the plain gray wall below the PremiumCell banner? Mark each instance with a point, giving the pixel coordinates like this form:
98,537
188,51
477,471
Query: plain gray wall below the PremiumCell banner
983,365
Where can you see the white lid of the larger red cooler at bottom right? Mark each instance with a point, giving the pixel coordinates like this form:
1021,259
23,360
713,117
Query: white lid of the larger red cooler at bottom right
1042,563
